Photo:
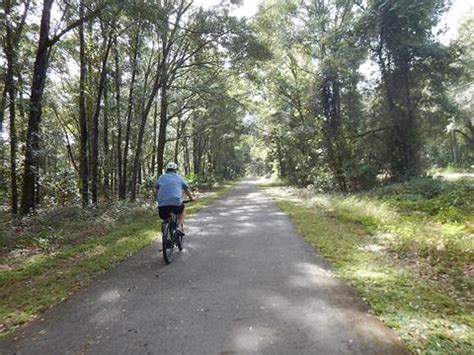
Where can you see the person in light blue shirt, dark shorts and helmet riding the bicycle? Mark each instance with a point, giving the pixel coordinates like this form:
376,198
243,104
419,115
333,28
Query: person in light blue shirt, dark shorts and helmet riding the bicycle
168,188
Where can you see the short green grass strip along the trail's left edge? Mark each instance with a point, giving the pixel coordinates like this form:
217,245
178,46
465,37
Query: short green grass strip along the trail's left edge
42,281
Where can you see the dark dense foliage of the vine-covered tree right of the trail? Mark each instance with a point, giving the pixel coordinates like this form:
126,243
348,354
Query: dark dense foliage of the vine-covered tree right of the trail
407,53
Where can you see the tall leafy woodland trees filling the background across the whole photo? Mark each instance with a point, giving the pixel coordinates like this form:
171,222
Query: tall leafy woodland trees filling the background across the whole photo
98,96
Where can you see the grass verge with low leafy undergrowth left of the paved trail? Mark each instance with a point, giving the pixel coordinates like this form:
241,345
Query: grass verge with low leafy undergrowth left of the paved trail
46,270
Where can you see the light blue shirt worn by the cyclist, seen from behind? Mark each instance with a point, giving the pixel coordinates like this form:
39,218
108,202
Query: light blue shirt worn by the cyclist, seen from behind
170,187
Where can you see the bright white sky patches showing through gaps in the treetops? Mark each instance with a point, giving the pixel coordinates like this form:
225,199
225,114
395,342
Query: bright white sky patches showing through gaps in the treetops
450,20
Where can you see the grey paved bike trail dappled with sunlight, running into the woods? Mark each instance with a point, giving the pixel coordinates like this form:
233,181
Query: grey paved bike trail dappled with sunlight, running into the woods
245,283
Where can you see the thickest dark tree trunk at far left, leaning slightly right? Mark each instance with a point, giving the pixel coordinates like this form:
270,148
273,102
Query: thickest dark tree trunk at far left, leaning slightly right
28,202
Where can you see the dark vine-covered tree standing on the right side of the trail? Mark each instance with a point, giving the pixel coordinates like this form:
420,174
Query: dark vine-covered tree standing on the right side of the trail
401,38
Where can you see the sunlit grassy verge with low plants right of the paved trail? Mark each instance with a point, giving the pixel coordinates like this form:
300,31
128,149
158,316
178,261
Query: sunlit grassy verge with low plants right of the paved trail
407,248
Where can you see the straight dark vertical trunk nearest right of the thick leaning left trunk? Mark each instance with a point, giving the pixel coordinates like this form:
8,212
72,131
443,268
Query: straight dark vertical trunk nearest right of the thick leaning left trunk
83,120
